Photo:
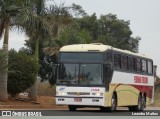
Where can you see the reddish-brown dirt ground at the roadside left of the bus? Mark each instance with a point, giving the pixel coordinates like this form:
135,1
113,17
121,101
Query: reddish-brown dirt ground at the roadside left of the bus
43,102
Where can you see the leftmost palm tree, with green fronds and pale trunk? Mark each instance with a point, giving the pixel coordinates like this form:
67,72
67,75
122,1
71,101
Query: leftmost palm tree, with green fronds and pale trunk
11,13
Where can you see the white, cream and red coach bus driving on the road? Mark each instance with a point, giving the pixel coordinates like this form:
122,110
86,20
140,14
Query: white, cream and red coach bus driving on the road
97,75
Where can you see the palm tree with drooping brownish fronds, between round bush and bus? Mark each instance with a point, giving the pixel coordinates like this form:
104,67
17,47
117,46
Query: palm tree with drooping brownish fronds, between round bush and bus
43,24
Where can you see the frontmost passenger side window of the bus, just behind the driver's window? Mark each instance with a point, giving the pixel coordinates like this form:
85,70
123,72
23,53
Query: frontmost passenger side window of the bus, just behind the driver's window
117,61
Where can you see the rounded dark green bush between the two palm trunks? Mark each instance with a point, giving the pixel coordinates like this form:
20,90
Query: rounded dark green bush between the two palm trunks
22,72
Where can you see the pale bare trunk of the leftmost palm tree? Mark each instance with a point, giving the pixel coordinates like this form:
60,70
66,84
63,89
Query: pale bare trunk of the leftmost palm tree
4,74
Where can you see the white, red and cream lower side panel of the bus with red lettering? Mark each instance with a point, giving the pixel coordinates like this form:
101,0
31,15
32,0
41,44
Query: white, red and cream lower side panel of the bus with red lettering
128,86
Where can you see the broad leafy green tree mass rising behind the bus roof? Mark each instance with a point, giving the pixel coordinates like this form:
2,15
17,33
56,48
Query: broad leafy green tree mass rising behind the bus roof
110,30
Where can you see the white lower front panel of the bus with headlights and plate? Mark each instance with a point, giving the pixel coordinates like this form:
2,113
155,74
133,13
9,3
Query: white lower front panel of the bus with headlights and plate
87,96
